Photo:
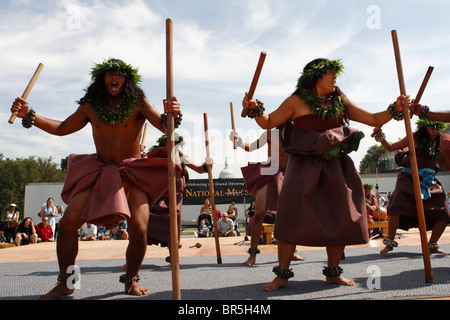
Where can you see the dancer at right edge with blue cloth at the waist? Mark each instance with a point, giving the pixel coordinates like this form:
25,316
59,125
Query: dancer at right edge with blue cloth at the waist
402,209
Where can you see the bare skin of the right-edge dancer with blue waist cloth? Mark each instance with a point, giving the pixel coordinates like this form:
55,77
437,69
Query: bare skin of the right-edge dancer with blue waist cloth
394,220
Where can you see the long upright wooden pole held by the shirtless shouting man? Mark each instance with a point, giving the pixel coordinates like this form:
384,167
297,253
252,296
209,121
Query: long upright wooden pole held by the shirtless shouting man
174,245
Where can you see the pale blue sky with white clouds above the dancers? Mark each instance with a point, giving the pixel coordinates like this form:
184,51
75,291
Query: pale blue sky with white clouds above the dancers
217,46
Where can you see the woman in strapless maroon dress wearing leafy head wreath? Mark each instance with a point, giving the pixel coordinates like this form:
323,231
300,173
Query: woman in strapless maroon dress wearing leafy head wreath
322,199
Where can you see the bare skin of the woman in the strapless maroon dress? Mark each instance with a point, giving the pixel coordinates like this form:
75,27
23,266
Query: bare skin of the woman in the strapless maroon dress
295,107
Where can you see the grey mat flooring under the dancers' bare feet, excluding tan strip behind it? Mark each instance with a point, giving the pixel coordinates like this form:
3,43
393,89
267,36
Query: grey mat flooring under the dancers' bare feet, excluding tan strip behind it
399,275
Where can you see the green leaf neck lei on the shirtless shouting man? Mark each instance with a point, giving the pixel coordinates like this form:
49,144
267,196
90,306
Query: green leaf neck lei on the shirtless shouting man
121,114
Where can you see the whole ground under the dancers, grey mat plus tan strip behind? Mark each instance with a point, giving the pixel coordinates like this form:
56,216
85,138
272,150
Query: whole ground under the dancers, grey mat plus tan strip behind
28,271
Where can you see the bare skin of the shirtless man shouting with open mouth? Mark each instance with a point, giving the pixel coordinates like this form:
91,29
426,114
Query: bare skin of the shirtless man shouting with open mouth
114,143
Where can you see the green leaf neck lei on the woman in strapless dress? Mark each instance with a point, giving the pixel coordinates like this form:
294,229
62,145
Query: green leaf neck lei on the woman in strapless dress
315,103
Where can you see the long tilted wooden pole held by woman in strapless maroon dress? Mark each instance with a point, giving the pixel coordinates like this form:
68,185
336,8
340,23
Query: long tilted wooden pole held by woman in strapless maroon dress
414,166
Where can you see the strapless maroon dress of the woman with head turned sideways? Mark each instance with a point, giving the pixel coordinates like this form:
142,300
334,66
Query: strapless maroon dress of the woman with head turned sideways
322,201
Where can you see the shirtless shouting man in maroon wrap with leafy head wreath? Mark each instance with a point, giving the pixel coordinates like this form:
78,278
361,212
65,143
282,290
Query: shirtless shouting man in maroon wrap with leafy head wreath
116,183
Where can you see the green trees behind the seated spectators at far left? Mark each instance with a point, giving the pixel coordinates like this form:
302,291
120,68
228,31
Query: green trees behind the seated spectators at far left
16,174
